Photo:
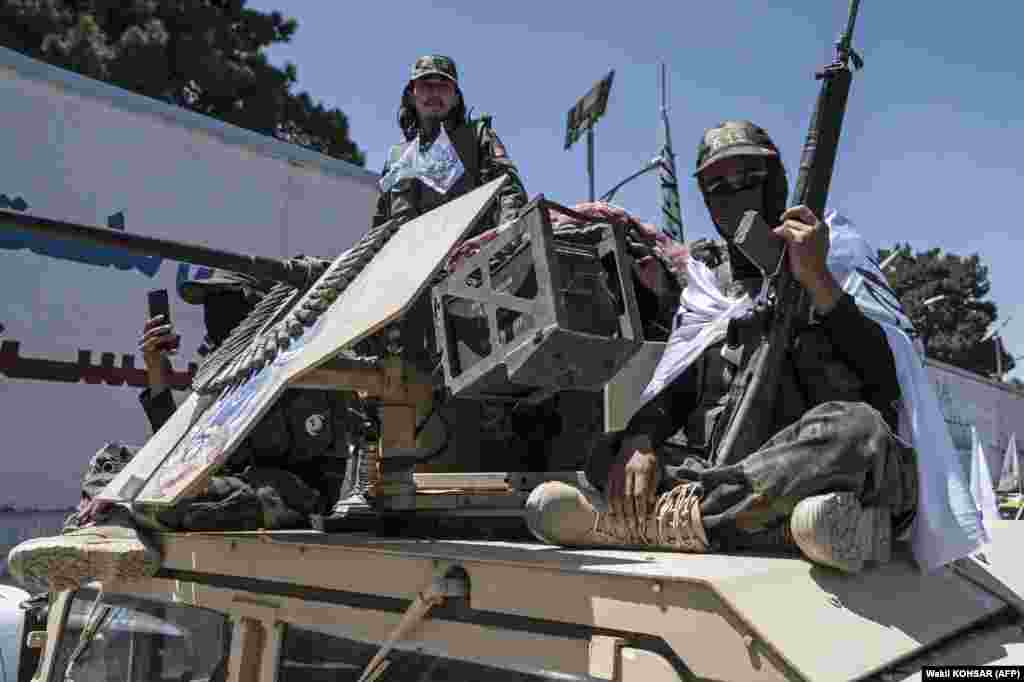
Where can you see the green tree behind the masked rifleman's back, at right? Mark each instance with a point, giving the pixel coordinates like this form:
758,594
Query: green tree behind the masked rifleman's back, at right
954,327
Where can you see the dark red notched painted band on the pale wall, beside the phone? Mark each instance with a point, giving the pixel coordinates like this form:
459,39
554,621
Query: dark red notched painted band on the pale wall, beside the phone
106,372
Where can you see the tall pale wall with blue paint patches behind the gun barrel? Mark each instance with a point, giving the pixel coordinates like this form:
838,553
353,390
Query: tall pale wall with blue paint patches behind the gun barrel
78,150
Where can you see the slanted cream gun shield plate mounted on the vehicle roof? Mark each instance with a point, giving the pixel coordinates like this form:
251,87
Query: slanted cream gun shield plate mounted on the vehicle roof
180,459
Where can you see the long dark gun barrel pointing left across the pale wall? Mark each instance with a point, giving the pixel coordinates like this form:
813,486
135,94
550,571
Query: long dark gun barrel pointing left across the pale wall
258,267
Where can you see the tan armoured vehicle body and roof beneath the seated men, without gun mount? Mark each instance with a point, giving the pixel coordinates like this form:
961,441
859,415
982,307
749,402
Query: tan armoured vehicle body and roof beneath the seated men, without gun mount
309,606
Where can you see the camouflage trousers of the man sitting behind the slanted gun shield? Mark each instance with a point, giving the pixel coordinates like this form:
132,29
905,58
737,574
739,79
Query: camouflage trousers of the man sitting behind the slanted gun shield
259,497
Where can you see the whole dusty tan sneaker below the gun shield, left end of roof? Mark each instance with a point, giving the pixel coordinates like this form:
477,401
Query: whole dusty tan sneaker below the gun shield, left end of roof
110,551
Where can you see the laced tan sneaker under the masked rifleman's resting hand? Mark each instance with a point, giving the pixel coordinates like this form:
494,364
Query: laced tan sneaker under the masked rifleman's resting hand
562,515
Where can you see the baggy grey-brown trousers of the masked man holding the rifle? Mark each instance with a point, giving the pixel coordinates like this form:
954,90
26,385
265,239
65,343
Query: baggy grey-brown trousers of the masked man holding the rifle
836,447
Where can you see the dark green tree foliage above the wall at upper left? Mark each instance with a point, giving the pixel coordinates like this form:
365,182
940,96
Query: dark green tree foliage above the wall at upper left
202,55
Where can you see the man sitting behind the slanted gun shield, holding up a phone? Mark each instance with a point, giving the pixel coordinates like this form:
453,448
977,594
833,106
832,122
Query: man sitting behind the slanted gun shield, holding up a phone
276,480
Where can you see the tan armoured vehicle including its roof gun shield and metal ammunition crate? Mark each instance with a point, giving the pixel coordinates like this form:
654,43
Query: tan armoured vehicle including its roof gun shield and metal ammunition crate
374,606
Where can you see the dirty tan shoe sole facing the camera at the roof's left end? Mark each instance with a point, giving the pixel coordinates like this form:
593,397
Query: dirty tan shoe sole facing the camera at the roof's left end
66,567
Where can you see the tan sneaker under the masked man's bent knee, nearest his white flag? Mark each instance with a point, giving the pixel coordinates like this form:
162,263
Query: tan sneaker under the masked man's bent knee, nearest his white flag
836,531
